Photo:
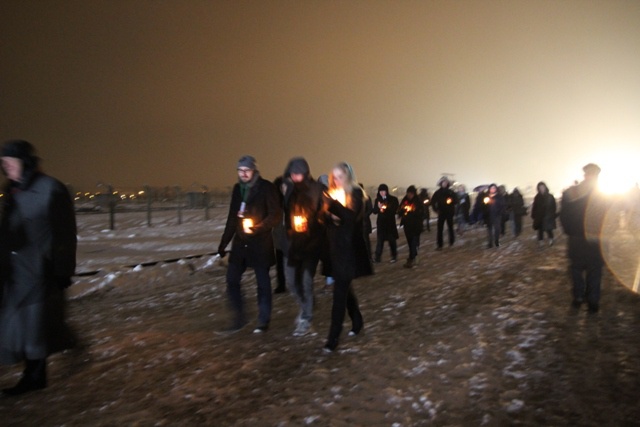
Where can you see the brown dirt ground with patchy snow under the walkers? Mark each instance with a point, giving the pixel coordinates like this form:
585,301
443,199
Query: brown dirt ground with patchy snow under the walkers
471,336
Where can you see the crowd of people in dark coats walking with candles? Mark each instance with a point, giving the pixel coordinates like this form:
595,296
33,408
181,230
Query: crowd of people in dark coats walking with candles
297,222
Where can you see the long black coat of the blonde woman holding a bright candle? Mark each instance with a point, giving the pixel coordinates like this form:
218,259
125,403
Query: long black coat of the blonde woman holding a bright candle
348,249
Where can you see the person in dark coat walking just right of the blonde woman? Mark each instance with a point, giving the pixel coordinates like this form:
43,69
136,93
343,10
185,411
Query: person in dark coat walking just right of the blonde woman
385,207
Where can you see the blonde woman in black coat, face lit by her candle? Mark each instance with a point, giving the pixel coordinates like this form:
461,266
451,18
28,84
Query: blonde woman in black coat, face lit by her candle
344,217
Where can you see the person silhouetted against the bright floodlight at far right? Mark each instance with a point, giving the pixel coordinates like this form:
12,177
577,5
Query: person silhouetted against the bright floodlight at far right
582,212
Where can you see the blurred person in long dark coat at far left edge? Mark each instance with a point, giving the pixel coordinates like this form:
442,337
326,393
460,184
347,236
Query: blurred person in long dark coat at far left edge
37,260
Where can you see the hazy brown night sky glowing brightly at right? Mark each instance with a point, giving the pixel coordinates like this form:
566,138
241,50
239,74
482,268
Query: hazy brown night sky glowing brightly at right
173,92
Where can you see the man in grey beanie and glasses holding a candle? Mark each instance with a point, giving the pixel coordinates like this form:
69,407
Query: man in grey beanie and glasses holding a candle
253,213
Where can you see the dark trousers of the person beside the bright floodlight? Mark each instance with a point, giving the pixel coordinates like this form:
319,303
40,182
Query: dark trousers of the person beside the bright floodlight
586,269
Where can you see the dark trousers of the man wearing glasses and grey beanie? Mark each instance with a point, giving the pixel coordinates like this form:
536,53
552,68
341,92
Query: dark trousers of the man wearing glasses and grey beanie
236,299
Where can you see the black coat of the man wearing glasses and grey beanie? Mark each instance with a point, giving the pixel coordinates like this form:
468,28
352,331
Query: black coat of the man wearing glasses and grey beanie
263,207
